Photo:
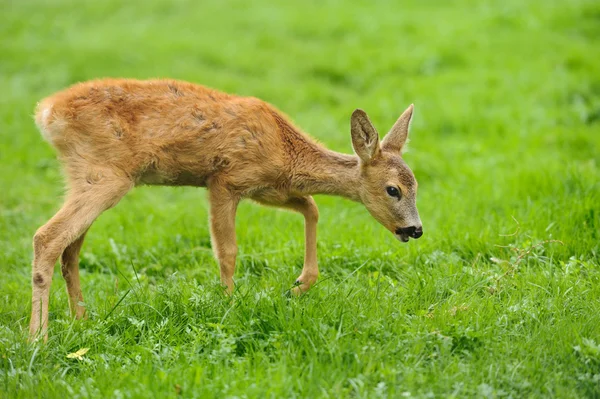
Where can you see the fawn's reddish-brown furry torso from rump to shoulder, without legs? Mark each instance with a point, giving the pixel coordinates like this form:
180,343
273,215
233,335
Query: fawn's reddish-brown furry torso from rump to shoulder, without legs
165,132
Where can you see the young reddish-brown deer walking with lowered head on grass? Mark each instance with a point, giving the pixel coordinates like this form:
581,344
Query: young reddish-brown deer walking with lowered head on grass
111,135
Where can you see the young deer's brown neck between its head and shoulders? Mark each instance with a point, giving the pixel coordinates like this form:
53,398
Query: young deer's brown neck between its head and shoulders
318,170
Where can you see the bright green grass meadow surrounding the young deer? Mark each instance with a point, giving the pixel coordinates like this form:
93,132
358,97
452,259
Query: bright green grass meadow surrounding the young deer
506,138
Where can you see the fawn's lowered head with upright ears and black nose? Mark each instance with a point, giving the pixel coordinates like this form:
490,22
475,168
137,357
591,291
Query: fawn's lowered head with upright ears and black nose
388,187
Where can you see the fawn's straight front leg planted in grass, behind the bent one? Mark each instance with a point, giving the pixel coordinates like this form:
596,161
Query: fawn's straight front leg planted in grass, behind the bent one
223,206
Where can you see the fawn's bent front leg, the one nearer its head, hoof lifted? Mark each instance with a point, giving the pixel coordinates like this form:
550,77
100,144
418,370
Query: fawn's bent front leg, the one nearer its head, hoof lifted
310,272
